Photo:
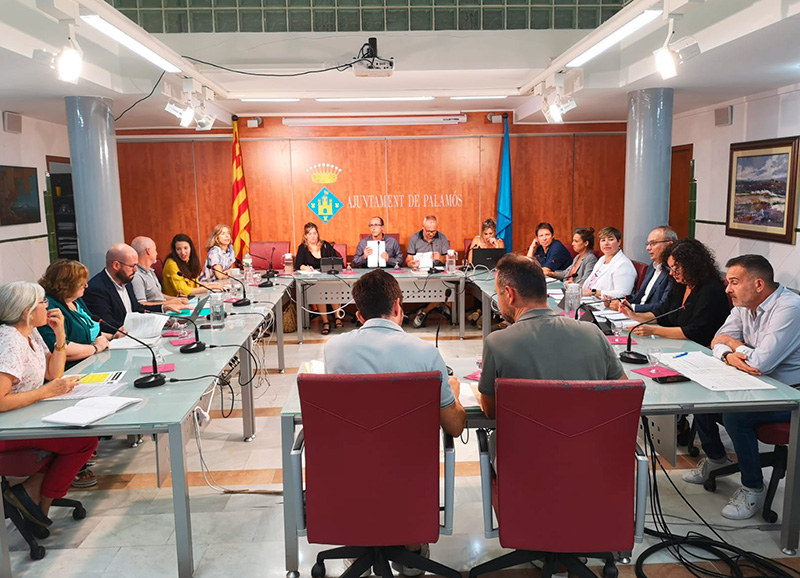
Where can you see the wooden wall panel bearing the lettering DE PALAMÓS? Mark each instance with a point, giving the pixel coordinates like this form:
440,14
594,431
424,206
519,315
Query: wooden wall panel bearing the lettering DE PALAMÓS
442,175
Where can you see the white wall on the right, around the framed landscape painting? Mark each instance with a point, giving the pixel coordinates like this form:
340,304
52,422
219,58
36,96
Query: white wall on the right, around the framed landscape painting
762,116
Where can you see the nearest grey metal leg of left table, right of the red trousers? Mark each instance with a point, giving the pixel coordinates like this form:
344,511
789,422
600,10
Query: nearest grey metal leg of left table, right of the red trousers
180,498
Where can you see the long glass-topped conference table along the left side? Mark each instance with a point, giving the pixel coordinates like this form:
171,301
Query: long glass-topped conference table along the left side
168,409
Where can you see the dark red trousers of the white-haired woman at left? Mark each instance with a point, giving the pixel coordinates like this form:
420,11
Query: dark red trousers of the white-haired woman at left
71,454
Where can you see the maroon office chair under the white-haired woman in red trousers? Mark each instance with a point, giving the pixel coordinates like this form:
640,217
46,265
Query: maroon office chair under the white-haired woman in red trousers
23,464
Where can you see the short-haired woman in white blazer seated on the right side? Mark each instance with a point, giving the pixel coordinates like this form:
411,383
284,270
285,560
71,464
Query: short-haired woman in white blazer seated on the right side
614,275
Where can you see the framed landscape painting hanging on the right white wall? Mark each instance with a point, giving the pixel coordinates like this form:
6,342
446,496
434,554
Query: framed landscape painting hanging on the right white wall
762,190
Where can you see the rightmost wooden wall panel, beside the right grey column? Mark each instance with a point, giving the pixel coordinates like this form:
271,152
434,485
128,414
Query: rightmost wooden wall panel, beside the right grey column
599,181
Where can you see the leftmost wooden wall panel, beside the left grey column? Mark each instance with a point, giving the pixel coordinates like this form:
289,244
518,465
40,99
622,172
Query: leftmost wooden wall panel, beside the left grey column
157,183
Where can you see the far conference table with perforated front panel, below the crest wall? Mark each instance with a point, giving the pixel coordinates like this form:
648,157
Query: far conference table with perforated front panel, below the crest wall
418,287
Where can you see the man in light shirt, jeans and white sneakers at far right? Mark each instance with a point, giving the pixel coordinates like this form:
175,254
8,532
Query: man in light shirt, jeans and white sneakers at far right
760,337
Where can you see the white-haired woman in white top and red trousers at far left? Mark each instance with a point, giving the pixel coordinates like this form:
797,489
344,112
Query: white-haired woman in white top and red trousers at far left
25,364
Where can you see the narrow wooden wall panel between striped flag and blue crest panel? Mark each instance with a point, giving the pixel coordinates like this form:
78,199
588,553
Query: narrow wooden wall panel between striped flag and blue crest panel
267,174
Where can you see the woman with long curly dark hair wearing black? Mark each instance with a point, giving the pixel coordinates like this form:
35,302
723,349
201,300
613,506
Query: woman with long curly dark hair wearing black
696,286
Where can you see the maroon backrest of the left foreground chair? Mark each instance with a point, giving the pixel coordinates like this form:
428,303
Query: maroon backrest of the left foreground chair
372,457
